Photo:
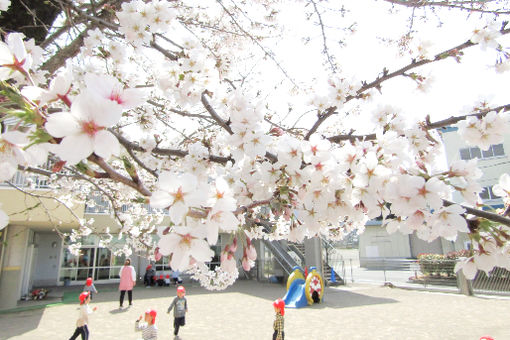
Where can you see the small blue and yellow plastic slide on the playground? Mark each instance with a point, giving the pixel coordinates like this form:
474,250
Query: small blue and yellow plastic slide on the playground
301,292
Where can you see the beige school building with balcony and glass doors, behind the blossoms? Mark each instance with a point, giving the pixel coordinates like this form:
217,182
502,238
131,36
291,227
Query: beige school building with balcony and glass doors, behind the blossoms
34,253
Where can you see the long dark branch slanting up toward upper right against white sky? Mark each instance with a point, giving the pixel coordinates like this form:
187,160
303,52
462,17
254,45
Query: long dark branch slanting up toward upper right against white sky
389,75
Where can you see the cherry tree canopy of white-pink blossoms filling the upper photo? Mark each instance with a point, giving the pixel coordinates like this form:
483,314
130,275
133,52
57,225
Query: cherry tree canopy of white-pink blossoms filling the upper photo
228,113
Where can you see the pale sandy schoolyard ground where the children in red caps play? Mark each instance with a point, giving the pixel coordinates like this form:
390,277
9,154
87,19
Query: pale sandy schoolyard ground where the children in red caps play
245,312
